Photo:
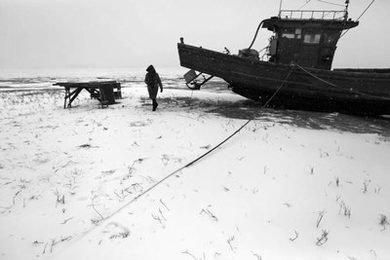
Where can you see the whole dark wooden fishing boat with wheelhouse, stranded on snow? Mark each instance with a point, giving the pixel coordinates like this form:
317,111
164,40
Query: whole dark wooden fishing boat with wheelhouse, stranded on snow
296,70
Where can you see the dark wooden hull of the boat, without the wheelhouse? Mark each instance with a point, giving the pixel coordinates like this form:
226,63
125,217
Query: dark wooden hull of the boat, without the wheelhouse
364,92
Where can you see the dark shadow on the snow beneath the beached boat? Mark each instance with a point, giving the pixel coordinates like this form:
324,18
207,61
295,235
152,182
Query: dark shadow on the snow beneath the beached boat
247,109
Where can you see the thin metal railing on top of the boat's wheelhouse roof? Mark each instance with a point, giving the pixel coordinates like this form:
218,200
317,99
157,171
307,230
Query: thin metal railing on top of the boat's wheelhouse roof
310,14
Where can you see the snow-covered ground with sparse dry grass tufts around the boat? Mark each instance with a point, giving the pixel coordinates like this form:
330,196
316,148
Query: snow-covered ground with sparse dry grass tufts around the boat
290,185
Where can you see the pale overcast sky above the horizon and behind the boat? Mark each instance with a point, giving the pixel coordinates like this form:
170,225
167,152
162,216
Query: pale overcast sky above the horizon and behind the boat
135,33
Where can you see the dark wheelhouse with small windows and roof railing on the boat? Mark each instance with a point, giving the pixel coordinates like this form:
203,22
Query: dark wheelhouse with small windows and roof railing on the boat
308,38
